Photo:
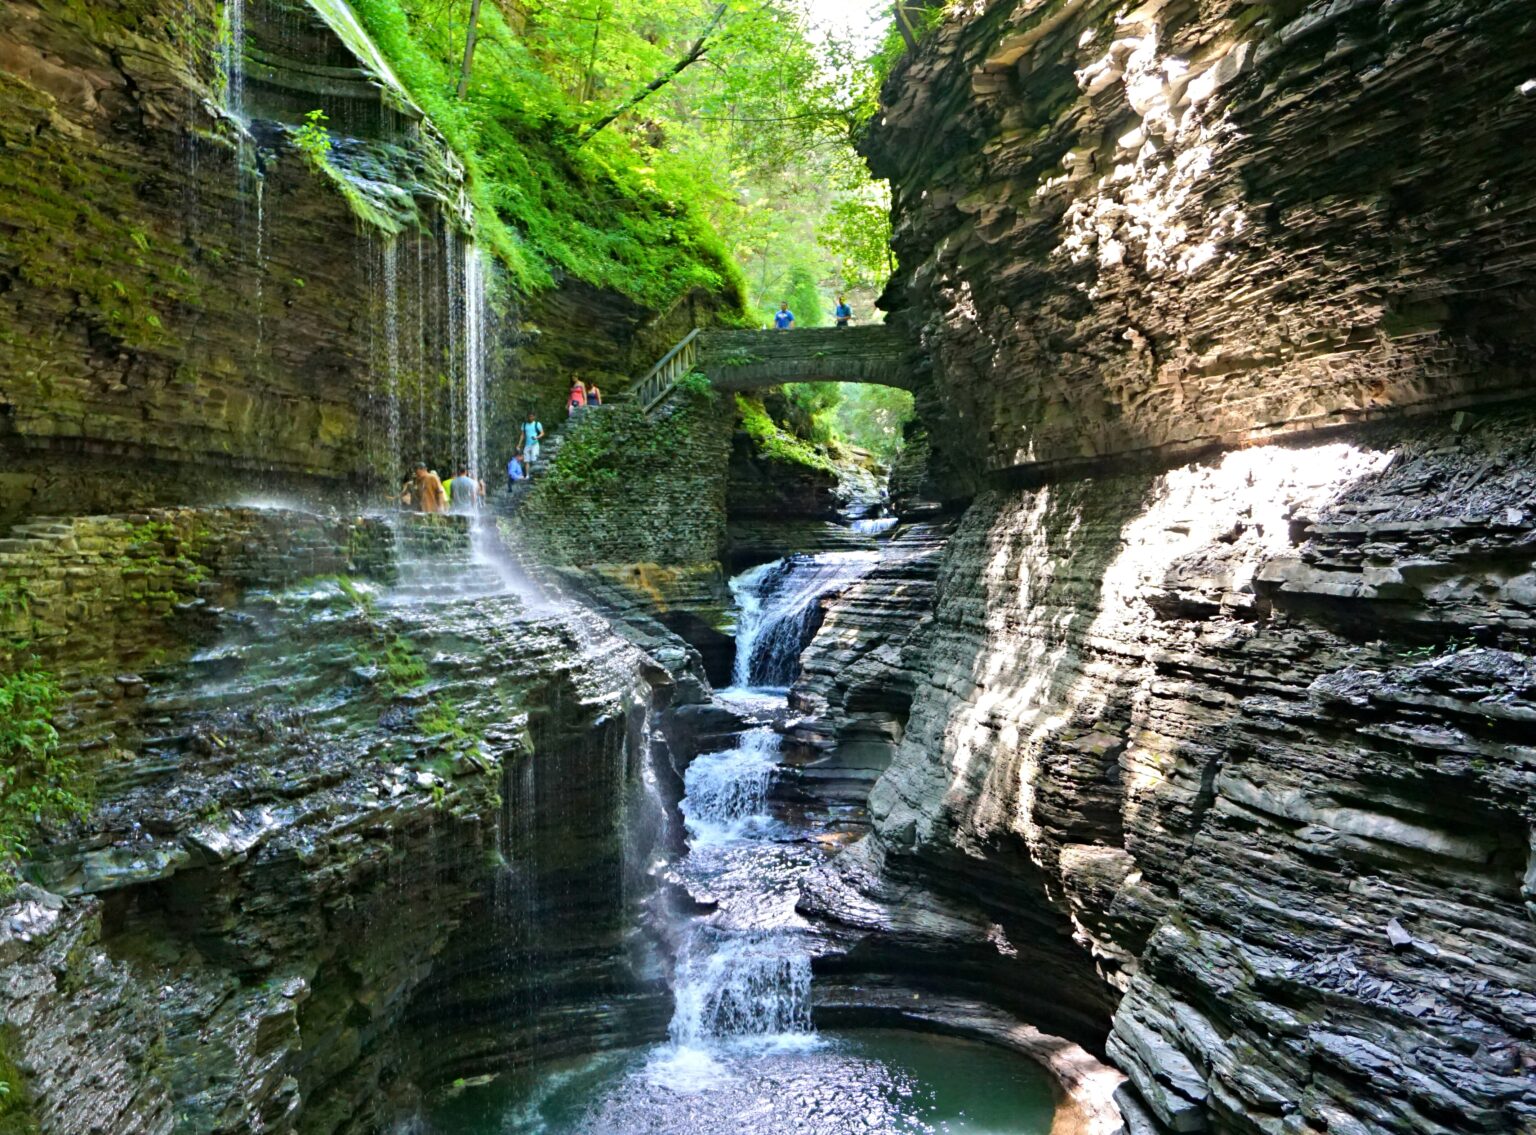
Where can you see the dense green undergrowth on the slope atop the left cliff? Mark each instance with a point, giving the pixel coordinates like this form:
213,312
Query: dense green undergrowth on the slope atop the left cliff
546,204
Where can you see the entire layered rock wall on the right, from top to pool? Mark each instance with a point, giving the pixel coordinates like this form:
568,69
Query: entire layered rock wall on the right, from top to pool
1210,755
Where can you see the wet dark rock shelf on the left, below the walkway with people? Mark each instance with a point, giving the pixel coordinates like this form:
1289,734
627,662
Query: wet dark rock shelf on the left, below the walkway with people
342,767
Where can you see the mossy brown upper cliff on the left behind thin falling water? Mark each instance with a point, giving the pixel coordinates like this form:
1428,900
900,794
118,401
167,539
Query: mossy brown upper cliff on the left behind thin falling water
191,311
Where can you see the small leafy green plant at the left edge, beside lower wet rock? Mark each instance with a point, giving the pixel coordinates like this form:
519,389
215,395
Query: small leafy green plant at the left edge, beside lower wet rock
39,783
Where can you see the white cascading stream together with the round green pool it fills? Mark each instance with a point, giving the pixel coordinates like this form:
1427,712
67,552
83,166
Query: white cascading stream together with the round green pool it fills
744,1056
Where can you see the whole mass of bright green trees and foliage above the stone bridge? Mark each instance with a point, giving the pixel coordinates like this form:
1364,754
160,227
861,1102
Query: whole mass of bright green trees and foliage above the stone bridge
657,147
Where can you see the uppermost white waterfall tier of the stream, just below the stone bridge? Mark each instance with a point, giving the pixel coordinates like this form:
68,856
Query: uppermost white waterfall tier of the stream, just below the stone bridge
778,609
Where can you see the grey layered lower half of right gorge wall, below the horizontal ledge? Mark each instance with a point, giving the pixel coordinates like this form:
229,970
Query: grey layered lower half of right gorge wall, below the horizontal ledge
1237,753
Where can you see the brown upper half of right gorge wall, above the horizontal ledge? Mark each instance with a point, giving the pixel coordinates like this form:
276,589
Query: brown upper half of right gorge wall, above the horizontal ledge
1193,223
